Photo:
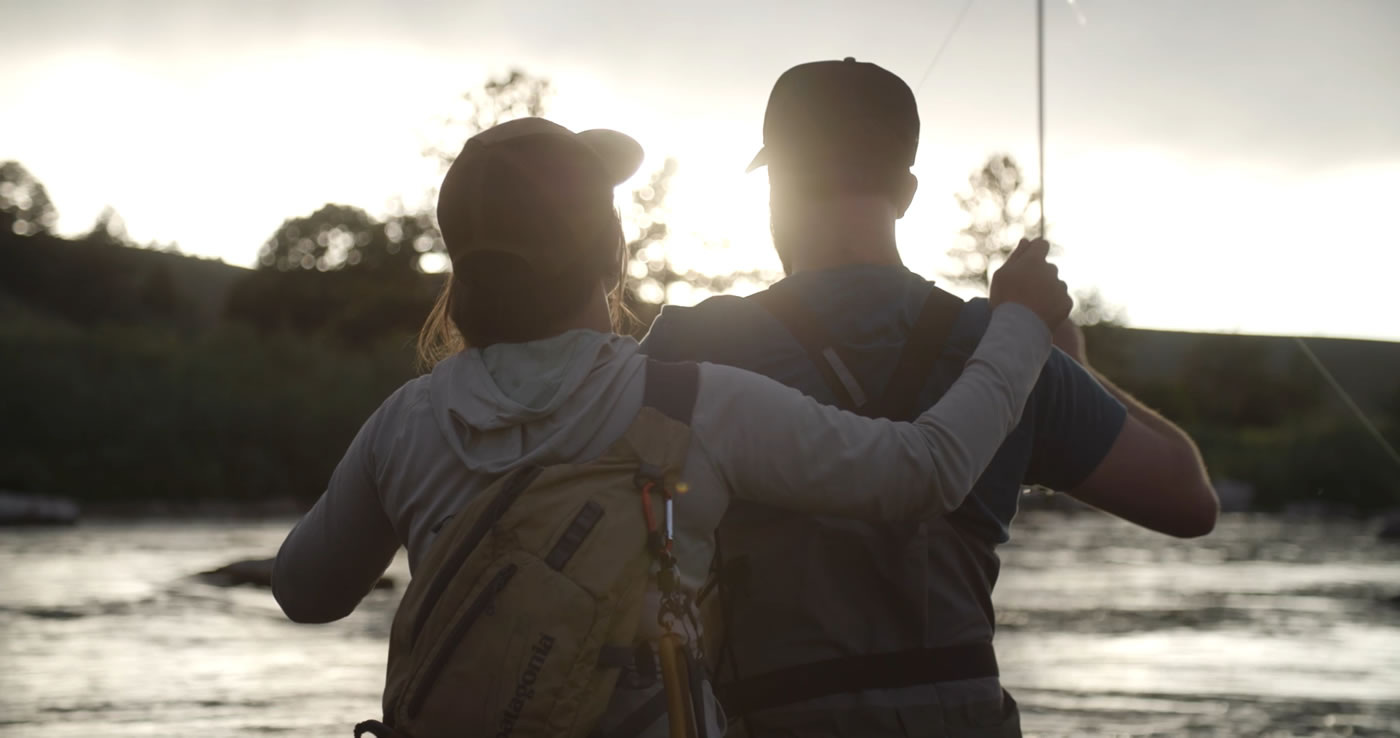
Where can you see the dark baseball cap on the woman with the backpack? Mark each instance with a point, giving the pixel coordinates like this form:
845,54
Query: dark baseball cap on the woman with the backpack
534,190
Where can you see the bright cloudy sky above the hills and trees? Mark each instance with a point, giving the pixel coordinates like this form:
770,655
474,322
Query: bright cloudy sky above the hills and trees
1210,166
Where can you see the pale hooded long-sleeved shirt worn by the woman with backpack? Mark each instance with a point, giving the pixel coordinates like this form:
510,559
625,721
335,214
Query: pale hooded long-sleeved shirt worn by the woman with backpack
751,438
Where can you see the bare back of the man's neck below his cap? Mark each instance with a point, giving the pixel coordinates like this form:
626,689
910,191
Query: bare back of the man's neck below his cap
845,232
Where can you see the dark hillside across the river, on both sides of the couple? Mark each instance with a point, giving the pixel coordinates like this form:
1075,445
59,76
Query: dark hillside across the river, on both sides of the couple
142,376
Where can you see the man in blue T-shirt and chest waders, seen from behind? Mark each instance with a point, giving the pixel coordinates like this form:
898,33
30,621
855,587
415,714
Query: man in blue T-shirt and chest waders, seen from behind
834,627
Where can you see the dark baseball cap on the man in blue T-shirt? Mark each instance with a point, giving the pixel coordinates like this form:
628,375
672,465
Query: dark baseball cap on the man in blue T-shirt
839,114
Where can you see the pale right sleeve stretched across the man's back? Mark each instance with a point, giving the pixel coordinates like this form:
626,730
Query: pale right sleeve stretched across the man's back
775,446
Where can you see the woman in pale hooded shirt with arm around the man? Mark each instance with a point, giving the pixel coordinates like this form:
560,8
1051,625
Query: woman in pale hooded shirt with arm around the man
528,372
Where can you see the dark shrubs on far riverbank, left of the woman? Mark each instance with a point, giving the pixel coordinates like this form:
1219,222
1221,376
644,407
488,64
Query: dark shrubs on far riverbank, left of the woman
139,412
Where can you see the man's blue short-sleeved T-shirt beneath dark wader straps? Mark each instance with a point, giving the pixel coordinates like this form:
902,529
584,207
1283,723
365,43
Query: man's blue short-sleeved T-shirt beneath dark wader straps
1067,428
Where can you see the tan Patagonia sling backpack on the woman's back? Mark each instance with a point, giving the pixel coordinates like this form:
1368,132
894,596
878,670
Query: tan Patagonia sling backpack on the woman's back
528,601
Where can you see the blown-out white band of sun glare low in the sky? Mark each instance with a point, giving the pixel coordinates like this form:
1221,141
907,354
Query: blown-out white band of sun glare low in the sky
218,156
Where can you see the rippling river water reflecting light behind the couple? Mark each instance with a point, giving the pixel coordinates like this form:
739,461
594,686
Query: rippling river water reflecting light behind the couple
1266,628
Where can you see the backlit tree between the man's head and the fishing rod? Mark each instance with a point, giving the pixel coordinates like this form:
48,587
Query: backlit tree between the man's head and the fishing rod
1002,211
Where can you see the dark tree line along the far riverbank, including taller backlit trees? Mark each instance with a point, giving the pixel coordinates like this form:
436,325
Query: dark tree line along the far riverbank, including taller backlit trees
138,373
